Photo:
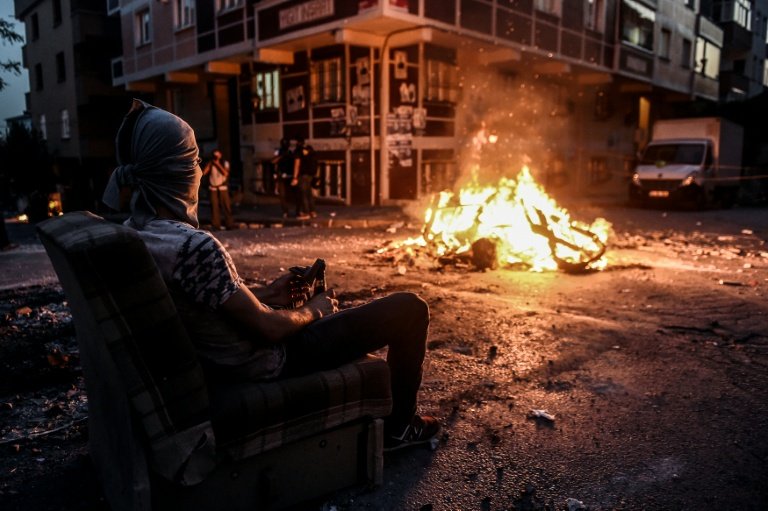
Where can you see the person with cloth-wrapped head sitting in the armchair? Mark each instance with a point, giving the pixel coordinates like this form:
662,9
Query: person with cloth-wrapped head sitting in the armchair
250,334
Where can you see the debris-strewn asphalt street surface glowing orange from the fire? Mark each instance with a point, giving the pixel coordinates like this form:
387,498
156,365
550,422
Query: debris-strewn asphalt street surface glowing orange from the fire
637,387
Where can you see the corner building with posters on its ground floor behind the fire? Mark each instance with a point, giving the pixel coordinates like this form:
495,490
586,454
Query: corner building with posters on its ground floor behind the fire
396,95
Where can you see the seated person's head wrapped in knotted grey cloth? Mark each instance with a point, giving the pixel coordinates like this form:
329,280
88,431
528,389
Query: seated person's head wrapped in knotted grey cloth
158,159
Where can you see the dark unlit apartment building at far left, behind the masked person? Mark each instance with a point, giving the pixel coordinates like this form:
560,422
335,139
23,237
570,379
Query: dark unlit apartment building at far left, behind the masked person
72,102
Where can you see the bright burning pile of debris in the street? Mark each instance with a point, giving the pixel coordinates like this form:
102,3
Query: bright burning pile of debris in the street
519,221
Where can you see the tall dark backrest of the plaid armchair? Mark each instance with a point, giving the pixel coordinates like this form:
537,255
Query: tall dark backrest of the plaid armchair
135,352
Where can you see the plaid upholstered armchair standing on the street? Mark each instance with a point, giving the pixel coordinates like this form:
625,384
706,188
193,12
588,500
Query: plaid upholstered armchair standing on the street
161,436
